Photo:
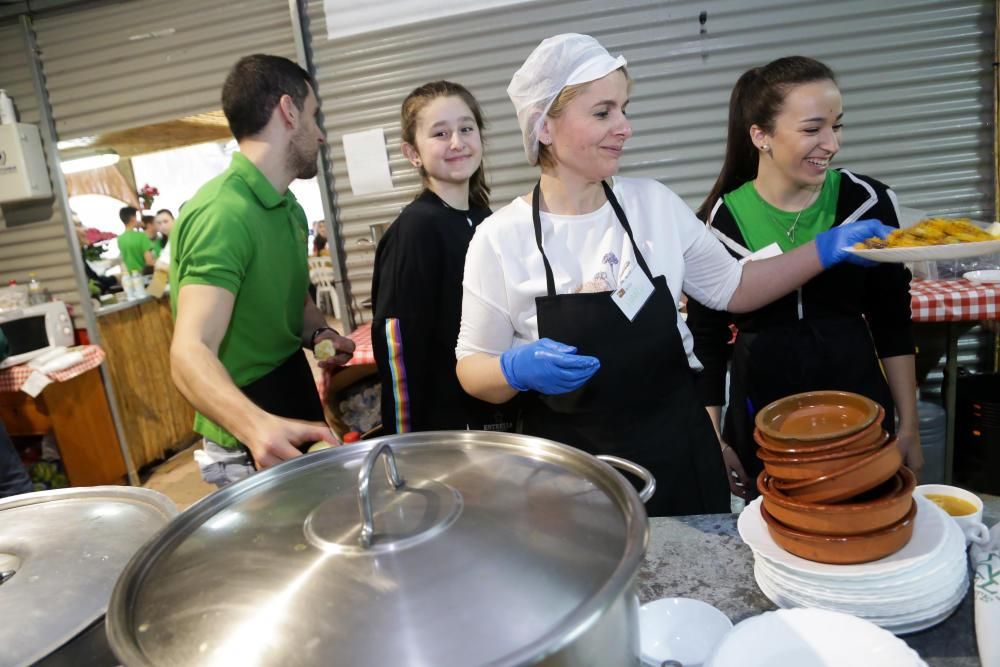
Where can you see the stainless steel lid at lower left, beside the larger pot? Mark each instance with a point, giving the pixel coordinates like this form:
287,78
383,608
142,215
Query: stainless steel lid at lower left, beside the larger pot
60,555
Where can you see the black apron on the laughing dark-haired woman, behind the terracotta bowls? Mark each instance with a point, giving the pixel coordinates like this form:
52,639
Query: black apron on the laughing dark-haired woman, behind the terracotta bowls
807,355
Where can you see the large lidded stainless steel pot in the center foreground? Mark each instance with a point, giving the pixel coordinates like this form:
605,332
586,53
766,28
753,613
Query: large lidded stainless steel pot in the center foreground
474,548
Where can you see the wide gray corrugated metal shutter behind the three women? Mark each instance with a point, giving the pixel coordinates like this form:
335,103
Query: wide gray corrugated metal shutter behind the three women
915,74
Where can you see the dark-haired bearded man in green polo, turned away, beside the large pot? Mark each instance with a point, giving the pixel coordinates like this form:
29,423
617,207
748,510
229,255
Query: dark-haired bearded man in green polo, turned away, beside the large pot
239,279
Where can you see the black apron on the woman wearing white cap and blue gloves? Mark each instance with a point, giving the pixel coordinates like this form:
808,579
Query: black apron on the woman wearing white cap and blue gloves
641,404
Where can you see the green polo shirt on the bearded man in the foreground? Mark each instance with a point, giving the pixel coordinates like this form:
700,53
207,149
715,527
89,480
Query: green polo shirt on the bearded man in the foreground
240,234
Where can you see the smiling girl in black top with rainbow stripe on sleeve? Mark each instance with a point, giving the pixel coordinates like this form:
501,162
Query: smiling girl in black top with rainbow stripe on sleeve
417,285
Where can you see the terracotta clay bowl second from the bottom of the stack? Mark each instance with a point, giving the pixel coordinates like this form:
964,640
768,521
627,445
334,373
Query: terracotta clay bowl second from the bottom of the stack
877,509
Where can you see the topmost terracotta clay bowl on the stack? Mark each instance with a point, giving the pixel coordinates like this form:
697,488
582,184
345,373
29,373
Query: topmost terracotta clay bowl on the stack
816,416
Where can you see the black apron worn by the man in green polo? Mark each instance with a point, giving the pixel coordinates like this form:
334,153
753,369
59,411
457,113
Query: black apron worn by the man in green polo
288,391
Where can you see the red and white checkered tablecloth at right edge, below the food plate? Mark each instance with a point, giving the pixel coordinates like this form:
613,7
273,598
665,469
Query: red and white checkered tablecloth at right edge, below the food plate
953,301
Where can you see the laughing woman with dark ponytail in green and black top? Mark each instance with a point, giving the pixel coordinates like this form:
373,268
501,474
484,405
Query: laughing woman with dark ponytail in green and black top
775,193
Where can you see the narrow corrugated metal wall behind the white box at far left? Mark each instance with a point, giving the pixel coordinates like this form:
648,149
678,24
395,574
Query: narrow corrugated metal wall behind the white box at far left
34,240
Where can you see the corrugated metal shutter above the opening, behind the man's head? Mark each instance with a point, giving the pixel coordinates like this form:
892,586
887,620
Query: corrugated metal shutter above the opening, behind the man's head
118,65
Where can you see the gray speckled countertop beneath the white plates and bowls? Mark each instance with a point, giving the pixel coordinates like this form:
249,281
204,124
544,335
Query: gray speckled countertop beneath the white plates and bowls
703,557
